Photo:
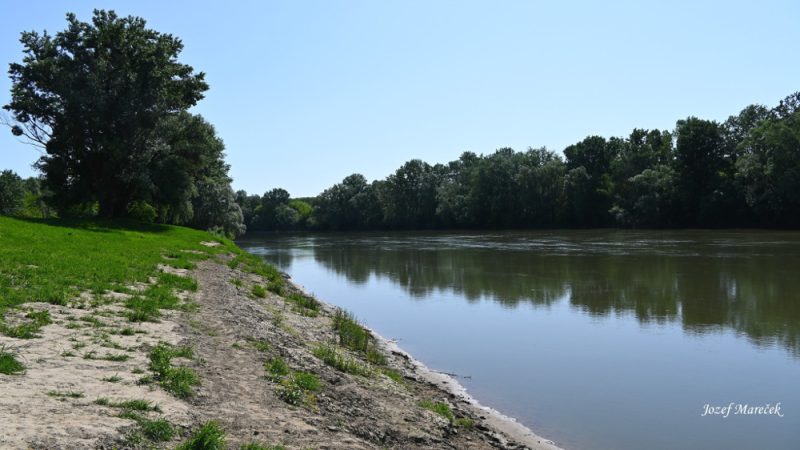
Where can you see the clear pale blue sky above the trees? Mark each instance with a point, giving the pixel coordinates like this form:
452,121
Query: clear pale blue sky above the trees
305,93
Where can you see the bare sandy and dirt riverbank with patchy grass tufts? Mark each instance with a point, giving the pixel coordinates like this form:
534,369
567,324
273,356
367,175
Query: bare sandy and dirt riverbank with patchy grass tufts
54,404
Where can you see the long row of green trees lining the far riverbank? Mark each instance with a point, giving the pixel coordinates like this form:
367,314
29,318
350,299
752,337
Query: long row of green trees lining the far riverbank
744,172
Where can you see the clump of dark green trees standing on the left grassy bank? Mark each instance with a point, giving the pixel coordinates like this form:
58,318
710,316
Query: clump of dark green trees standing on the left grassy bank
107,103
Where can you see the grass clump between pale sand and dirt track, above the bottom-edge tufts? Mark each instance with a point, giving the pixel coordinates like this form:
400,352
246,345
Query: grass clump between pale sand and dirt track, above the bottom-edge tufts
176,380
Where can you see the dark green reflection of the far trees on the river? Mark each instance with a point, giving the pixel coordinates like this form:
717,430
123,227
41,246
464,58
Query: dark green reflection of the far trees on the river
706,281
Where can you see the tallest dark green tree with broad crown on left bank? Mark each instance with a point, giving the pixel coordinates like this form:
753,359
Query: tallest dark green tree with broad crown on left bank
93,96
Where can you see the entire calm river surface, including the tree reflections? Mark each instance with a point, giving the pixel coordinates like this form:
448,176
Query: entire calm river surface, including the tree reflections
594,339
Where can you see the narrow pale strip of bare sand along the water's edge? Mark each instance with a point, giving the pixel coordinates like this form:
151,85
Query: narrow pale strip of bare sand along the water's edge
498,422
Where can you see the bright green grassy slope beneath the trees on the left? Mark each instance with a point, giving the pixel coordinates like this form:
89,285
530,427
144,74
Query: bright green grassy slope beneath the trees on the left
54,260
